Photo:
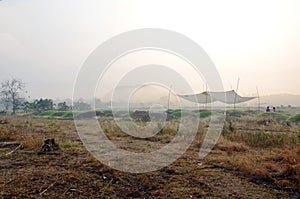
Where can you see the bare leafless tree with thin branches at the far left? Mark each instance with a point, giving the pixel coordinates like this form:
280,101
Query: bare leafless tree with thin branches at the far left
10,92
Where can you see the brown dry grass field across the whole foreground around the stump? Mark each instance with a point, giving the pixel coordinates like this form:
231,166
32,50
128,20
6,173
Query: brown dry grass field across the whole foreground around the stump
255,157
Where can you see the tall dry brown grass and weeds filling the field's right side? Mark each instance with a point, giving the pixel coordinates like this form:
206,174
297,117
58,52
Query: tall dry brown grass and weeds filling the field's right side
270,153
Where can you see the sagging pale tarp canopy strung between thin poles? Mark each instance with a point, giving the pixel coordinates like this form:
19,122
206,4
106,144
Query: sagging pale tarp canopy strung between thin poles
228,97
